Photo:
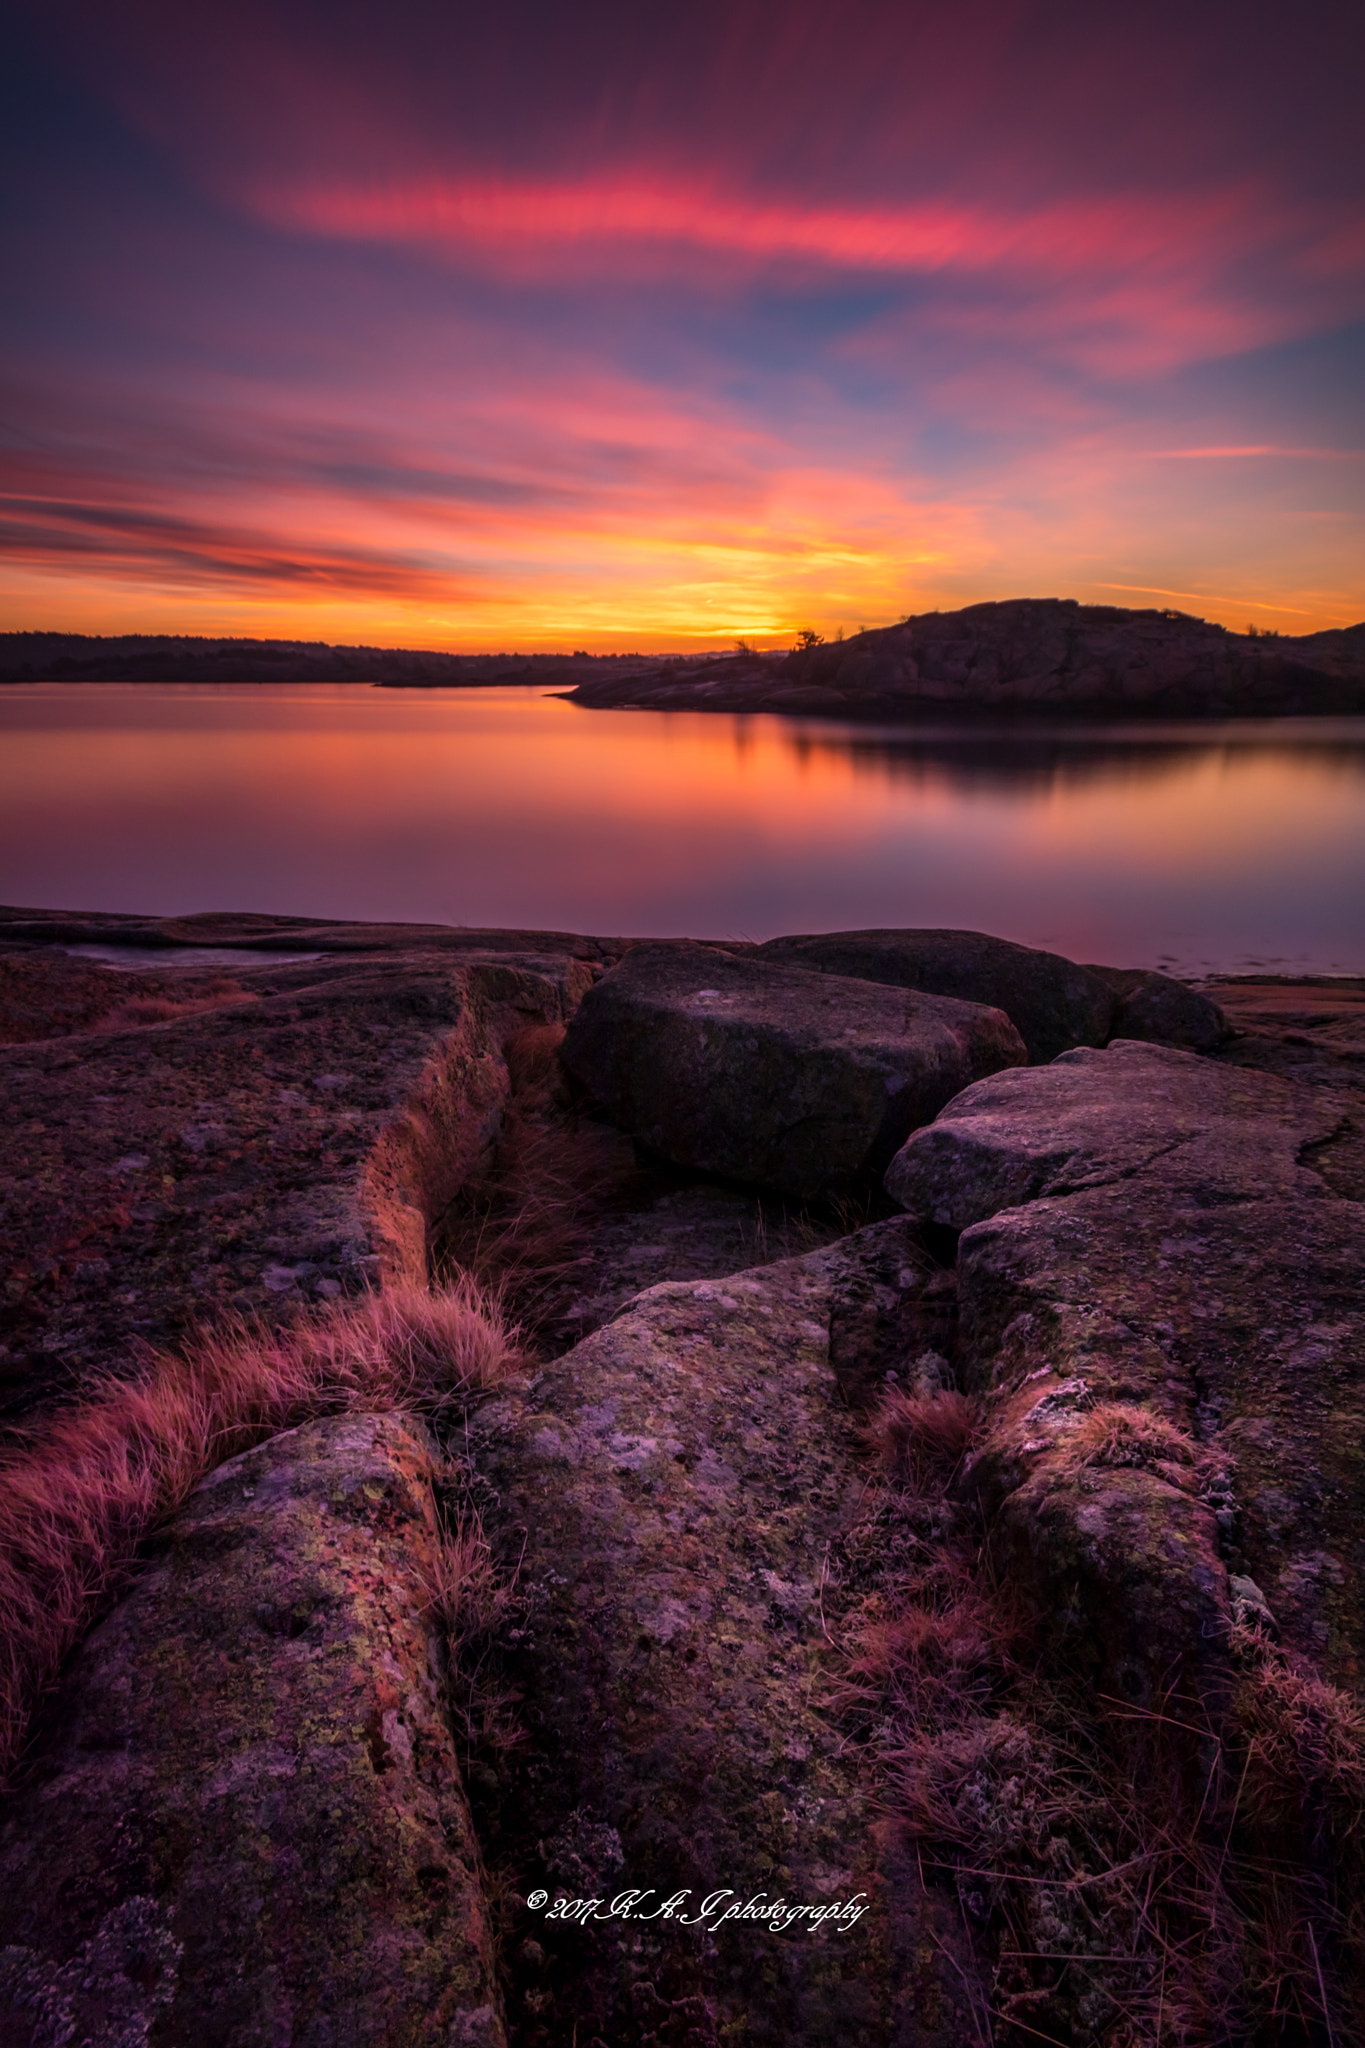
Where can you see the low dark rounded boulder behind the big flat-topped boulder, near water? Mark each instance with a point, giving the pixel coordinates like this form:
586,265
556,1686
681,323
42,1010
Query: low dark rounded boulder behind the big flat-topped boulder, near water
1051,1002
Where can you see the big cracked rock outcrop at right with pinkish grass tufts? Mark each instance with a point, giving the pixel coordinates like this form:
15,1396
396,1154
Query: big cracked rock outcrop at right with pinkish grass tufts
1149,1232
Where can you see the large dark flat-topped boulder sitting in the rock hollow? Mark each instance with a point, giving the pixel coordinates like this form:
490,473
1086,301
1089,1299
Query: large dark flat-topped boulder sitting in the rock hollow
773,1074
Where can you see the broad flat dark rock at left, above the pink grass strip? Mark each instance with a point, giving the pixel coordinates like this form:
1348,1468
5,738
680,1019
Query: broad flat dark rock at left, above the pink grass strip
206,1142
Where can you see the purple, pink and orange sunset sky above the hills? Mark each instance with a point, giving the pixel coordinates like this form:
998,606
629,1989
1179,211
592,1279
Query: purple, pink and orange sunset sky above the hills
635,327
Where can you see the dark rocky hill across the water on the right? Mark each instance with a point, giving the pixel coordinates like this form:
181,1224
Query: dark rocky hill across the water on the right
1020,656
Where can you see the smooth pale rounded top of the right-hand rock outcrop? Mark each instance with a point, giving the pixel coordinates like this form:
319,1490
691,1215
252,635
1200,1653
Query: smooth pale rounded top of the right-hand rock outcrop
1100,1117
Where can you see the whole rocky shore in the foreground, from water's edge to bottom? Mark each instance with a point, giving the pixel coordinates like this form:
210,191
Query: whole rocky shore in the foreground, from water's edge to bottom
934,1482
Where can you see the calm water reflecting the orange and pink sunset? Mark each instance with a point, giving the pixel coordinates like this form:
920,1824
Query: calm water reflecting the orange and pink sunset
1217,847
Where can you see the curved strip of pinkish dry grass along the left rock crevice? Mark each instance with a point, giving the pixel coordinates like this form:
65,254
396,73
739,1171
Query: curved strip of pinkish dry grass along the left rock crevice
77,1500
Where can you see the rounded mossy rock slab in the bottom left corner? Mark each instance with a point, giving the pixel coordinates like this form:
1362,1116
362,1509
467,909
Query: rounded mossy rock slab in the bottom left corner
245,1822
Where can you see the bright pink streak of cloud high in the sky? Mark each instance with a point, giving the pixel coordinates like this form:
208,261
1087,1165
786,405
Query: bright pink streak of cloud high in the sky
1131,284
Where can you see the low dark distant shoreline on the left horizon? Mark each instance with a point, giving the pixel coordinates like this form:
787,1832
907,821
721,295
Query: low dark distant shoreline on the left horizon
183,658
